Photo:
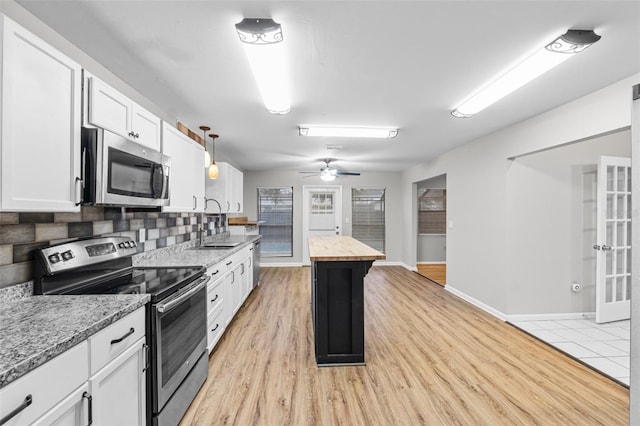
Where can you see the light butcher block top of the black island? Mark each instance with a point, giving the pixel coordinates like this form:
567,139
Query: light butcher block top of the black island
339,248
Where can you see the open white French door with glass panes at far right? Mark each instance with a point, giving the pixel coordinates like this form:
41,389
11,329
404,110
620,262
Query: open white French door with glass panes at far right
613,245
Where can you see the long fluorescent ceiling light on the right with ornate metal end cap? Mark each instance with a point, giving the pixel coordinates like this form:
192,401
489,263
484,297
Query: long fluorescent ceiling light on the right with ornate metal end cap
554,53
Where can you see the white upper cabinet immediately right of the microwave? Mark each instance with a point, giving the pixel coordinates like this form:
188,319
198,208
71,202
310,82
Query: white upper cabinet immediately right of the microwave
186,181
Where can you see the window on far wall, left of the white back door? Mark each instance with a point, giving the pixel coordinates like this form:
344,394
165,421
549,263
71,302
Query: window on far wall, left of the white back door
275,211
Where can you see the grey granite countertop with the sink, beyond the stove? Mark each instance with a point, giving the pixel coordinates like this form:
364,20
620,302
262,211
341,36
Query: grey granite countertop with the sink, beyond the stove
194,256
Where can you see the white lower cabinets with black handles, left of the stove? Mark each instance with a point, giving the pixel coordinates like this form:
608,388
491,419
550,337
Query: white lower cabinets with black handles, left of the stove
71,389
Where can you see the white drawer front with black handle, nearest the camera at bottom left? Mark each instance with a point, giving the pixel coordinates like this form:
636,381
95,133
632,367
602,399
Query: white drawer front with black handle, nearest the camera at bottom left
48,385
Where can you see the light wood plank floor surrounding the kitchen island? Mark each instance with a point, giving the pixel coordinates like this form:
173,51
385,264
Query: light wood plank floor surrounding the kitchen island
431,359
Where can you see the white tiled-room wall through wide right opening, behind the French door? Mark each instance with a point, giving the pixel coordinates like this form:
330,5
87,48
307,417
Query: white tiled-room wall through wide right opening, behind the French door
546,209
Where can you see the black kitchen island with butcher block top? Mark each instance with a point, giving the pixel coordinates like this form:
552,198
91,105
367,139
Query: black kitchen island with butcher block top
338,267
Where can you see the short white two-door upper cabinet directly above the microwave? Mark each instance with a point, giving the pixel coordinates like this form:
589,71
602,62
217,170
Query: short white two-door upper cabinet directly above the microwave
109,109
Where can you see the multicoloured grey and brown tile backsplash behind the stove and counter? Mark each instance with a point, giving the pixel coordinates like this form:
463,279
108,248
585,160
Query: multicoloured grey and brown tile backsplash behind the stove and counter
21,233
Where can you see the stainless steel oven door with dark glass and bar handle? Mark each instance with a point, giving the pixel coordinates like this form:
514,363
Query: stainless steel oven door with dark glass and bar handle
180,329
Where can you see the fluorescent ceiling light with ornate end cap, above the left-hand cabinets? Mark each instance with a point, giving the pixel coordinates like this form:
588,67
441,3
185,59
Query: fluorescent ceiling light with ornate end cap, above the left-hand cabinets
263,45
